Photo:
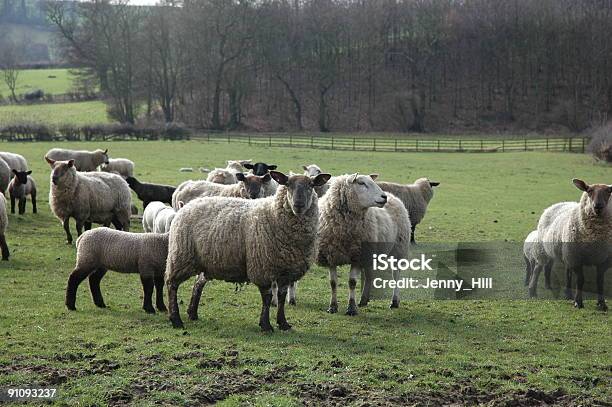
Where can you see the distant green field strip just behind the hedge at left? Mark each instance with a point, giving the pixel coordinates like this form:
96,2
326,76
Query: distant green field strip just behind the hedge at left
55,114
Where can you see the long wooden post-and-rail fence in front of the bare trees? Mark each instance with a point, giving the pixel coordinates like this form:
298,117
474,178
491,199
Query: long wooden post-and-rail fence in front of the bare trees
567,144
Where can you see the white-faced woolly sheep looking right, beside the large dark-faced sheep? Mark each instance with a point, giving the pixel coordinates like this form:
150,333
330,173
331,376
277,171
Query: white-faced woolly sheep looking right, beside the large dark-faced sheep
356,212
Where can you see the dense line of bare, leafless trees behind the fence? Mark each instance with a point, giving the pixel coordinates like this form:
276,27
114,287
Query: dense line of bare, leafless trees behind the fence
351,65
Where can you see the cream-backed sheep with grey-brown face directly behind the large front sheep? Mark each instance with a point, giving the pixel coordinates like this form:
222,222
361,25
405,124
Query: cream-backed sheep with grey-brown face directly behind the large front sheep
250,187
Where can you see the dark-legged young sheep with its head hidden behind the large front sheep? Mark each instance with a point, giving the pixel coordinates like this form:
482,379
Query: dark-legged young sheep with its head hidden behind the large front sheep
103,249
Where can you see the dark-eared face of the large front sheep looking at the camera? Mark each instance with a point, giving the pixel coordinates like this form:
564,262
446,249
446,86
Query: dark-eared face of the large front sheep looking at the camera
300,189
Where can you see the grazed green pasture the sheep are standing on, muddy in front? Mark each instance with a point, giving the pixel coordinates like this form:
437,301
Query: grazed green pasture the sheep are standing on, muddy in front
505,352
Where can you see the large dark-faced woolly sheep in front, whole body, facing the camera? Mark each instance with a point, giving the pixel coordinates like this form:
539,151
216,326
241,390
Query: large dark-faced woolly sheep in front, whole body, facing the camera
242,240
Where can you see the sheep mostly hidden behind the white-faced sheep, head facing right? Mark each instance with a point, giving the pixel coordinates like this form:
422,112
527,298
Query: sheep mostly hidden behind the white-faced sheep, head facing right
415,197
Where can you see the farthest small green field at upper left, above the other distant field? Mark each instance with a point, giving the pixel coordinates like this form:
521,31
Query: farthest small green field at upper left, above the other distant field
51,81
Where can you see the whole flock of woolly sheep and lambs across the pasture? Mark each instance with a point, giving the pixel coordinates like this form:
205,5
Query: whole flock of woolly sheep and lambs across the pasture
250,223
